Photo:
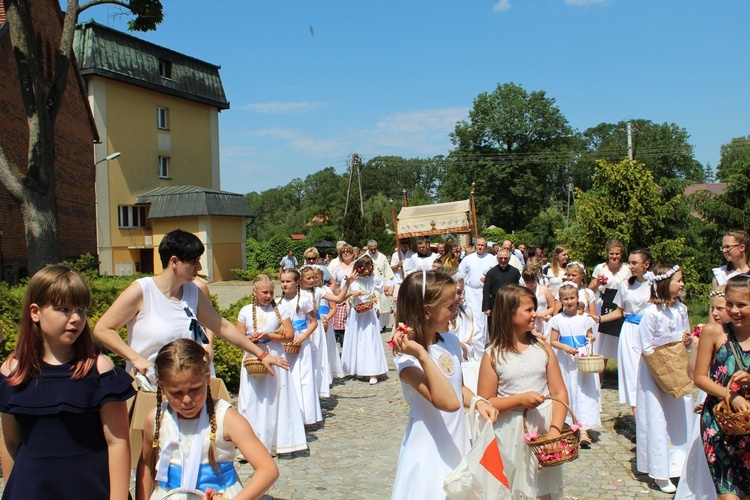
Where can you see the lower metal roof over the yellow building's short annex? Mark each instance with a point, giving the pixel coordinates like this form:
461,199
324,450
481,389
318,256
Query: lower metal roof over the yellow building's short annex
191,201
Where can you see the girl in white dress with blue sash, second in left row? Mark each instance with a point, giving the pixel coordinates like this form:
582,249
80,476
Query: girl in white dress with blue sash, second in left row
302,364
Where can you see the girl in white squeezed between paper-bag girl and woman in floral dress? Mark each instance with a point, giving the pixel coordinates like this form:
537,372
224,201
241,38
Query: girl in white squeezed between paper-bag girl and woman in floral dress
696,482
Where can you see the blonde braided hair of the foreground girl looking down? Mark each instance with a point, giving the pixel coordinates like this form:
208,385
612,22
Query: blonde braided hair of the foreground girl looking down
178,356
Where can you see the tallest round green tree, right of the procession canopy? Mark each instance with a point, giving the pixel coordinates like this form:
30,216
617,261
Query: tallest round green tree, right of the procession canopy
517,146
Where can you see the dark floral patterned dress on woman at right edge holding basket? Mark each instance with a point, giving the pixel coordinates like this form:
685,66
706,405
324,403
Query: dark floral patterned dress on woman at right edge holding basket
728,456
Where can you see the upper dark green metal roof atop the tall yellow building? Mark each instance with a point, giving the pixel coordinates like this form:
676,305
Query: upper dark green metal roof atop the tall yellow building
106,52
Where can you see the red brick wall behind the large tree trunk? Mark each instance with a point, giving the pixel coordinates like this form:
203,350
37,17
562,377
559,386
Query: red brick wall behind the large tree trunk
76,209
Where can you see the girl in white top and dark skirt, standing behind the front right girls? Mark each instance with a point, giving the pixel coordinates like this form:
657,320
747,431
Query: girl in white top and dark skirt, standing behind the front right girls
608,276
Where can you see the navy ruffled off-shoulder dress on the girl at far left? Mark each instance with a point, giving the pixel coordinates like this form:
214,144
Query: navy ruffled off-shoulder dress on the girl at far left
63,453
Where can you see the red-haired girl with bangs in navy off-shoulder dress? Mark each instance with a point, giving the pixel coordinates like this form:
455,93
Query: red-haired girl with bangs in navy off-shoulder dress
64,416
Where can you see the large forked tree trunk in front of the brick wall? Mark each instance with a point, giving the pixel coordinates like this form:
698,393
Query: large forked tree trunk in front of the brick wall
32,185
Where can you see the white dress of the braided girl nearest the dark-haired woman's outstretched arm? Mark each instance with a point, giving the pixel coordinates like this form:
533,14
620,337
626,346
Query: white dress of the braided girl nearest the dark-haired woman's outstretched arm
271,404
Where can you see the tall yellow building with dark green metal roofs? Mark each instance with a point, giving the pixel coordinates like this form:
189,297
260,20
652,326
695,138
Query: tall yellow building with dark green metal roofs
159,110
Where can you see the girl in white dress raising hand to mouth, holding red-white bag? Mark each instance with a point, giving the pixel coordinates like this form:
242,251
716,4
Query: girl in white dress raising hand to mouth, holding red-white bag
428,365
